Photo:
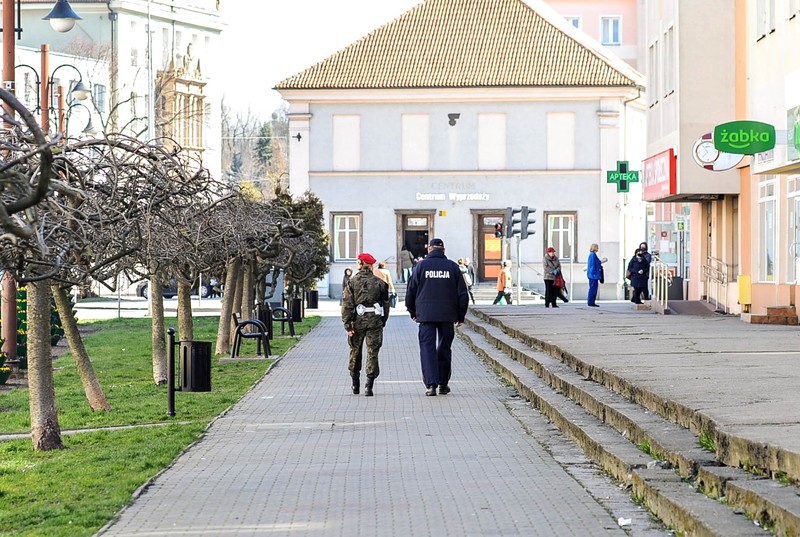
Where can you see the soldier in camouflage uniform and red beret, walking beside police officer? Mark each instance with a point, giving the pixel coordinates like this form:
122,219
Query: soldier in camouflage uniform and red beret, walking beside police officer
365,309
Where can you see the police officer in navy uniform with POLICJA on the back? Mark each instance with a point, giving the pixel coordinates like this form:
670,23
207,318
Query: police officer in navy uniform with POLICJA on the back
437,299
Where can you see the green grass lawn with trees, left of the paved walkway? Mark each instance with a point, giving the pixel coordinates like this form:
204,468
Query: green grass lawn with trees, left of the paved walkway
73,492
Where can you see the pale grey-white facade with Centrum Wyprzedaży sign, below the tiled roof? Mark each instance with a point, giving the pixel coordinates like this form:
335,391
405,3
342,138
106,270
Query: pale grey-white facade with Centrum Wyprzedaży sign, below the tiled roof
544,148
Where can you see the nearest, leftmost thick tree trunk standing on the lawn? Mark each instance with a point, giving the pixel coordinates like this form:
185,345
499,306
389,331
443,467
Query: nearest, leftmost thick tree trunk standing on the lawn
45,432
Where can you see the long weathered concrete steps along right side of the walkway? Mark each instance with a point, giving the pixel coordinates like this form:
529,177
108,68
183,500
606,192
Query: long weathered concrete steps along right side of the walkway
632,441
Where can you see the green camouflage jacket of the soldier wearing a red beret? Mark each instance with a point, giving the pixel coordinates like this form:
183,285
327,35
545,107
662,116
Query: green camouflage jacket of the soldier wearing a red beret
367,289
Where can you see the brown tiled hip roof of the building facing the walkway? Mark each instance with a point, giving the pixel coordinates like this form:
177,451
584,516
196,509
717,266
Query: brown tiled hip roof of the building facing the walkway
469,44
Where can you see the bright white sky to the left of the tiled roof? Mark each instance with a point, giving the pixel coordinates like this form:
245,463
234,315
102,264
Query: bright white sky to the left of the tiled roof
279,38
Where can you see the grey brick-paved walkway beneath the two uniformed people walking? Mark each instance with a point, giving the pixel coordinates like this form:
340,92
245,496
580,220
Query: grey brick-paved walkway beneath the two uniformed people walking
301,455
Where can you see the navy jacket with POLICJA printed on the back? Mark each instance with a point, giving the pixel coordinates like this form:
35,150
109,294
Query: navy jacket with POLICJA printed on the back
436,292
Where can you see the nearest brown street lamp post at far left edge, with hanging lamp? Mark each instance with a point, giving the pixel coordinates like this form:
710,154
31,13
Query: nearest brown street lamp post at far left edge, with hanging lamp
59,20
